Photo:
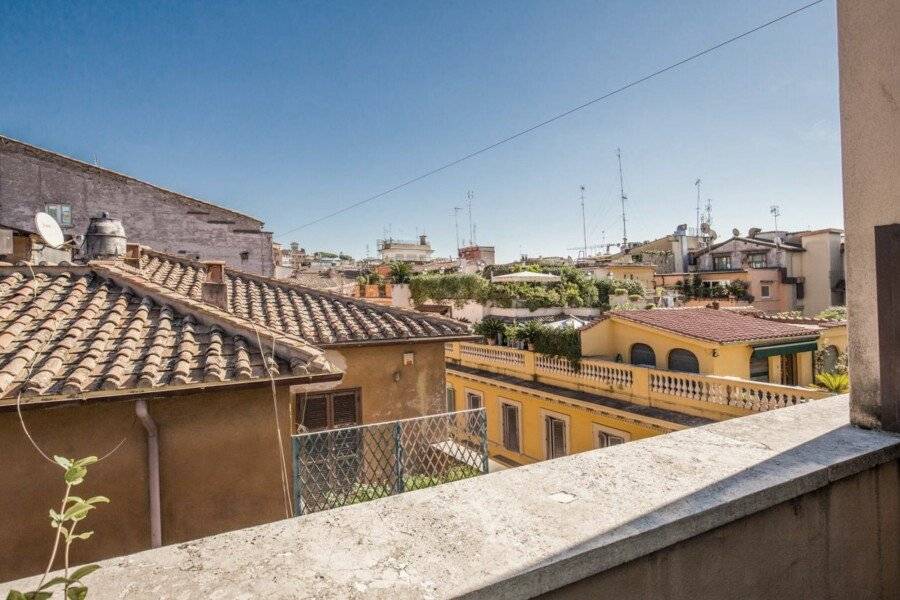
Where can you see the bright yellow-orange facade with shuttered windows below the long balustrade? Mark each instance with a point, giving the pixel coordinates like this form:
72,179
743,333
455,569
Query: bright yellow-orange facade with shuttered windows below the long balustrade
532,409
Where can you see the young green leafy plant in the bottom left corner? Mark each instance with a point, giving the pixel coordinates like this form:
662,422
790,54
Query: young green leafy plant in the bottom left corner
73,510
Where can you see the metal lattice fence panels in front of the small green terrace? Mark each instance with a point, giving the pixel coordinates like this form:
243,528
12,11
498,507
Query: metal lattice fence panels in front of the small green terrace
337,467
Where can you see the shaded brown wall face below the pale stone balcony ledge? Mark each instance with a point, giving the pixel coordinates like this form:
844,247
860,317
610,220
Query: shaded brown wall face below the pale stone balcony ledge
842,541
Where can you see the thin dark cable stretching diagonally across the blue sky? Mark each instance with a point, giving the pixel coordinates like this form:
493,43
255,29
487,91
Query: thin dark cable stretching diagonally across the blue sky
553,119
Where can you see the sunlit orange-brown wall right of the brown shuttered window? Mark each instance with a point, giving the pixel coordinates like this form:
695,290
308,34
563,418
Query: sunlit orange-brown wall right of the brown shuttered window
390,389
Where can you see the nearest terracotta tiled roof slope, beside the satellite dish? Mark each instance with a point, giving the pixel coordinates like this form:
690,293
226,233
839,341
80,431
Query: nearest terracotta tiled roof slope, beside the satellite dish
73,331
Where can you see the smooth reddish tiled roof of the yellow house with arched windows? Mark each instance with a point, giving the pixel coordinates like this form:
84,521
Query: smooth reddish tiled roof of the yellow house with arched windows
715,325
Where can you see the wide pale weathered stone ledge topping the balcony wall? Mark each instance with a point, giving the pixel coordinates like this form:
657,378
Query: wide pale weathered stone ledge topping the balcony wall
526,531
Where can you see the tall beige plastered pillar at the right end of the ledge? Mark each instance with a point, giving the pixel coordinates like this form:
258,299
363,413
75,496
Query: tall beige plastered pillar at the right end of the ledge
869,47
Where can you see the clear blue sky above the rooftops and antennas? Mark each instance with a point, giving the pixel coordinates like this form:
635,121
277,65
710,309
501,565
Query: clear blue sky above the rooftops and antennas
289,111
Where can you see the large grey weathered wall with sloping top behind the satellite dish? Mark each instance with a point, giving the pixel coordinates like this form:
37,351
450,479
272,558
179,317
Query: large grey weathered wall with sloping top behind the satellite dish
31,178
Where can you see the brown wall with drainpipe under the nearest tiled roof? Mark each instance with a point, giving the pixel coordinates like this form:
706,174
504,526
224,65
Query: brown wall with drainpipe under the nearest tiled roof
219,471
